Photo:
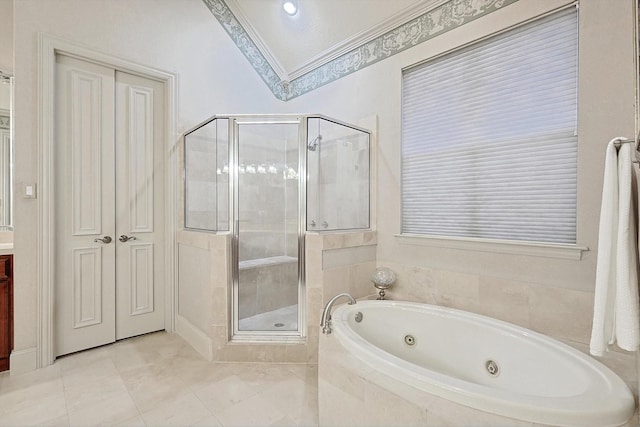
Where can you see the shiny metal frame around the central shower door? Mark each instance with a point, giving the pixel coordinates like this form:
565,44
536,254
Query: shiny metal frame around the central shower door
235,121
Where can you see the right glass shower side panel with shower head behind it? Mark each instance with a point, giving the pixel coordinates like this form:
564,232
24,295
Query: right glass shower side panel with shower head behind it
338,184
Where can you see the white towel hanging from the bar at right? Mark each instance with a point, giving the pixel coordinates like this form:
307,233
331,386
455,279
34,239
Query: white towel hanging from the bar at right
615,310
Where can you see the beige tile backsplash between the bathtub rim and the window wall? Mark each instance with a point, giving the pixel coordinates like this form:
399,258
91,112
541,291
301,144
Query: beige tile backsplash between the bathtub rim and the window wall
563,314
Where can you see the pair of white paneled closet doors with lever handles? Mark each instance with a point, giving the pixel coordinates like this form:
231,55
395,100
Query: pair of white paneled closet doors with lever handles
109,208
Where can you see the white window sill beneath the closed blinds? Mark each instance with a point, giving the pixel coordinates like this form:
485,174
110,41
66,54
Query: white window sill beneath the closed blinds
548,250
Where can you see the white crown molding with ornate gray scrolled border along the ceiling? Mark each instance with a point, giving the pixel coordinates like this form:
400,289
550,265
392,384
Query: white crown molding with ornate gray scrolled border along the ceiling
431,18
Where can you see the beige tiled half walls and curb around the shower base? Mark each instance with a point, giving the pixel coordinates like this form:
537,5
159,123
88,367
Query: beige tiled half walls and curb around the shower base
334,262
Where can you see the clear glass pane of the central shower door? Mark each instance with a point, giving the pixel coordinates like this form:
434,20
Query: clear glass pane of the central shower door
267,228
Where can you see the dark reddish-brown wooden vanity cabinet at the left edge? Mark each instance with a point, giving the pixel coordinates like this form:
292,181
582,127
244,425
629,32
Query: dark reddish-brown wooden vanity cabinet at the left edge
6,310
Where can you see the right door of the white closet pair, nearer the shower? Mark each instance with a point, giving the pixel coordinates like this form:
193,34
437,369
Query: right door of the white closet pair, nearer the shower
139,205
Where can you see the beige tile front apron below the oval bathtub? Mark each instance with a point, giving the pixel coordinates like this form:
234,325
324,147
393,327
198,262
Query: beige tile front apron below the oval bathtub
351,393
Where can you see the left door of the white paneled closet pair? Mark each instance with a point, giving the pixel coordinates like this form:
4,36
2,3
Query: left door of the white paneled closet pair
84,205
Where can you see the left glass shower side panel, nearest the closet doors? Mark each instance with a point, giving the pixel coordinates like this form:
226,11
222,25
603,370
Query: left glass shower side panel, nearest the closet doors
207,176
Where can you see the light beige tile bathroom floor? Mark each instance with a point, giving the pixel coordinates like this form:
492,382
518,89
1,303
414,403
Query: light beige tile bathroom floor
158,380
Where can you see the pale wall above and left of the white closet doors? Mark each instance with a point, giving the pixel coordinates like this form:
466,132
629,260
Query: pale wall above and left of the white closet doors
176,36
